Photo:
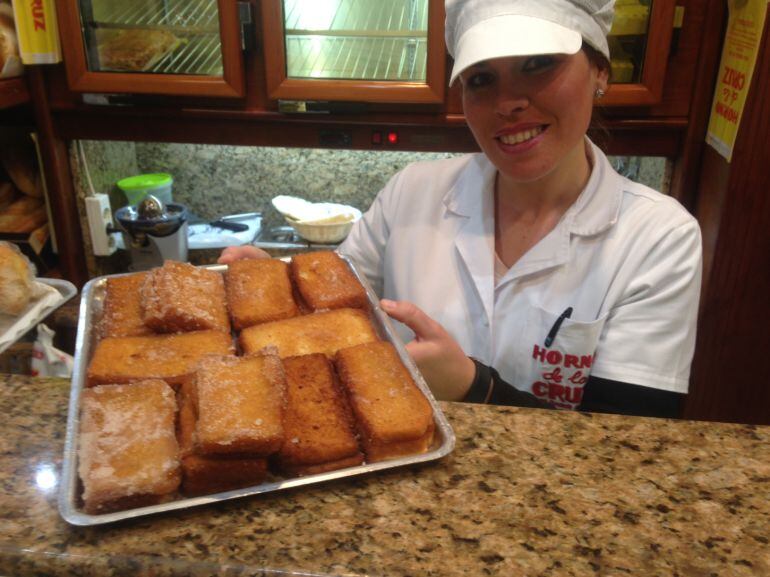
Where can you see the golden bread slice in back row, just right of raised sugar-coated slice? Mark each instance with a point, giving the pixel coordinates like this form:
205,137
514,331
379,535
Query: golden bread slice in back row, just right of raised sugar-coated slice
258,291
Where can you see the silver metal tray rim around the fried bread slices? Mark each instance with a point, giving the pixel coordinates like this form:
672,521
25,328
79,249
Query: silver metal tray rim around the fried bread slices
69,495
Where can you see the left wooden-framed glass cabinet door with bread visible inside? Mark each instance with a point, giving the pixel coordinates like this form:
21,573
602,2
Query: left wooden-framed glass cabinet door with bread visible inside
185,47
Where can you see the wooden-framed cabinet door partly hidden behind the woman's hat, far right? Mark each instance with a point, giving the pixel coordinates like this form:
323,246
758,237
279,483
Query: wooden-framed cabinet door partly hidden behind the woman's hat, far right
639,40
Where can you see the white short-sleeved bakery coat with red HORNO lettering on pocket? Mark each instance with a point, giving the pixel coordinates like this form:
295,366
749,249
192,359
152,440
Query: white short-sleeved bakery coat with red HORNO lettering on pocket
624,257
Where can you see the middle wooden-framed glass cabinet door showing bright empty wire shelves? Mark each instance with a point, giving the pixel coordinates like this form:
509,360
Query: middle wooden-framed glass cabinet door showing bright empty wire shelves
355,50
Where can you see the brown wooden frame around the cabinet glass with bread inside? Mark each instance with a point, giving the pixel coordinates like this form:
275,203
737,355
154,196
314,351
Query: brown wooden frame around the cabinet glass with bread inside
81,79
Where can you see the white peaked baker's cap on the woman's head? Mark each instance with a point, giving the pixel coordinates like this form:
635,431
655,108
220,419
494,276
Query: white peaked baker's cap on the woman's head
479,30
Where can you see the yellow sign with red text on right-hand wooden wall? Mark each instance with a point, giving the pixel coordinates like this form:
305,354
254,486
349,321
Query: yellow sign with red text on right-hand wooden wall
739,55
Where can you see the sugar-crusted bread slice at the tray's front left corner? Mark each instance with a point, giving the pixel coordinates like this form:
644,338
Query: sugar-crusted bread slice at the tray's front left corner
128,455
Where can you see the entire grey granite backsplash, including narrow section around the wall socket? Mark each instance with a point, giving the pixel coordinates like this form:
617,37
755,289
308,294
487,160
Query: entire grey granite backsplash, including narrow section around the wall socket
218,180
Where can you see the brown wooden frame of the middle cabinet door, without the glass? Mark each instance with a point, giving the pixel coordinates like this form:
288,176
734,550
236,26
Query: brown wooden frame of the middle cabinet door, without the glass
283,88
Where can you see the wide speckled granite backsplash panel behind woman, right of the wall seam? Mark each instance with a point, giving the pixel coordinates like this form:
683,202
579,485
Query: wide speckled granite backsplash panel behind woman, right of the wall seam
217,180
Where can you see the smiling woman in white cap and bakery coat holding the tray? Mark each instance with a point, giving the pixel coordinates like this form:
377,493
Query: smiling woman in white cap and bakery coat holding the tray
533,273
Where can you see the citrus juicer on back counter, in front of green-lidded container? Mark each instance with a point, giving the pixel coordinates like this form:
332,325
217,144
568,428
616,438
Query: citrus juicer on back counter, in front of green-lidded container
154,232
